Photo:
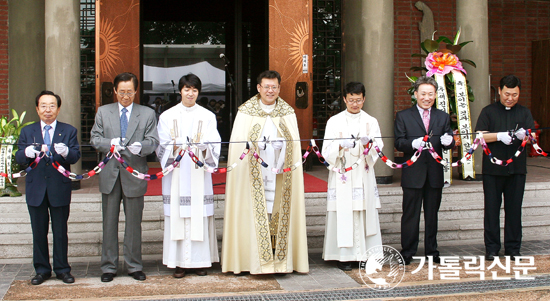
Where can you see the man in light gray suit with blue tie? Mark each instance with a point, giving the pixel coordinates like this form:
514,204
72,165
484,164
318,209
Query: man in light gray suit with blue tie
132,128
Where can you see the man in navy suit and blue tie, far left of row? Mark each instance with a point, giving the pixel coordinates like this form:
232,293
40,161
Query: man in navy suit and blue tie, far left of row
47,191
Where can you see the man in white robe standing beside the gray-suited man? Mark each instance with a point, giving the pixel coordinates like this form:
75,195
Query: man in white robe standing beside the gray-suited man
189,232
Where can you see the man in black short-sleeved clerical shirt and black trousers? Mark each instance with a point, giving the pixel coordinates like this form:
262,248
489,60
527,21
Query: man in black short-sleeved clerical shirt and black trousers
496,120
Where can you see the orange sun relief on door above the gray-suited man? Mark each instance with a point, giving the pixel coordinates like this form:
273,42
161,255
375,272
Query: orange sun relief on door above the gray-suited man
109,47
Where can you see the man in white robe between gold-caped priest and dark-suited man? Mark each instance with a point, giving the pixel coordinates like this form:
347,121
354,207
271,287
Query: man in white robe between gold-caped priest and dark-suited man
352,225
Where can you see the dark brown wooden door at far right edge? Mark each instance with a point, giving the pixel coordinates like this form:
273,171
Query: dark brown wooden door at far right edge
540,93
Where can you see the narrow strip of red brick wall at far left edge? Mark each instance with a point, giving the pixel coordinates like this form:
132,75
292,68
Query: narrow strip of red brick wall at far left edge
4,61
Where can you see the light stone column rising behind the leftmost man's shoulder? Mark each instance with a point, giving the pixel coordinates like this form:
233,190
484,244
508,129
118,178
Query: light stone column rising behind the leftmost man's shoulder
62,32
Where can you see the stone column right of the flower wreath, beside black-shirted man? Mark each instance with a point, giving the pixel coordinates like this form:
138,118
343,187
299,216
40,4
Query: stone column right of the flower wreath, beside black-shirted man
472,17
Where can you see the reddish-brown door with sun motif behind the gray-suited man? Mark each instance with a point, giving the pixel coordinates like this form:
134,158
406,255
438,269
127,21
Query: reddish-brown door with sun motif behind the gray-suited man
117,45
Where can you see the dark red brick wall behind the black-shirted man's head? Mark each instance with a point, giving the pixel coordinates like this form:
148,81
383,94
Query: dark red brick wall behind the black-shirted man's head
513,25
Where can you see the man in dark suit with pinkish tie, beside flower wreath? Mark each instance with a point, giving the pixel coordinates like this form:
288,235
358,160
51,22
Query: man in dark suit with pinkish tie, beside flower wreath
422,182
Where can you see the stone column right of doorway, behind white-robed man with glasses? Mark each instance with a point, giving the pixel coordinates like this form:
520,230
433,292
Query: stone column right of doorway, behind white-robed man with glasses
368,43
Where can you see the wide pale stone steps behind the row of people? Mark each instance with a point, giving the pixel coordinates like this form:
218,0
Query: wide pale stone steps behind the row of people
461,219
